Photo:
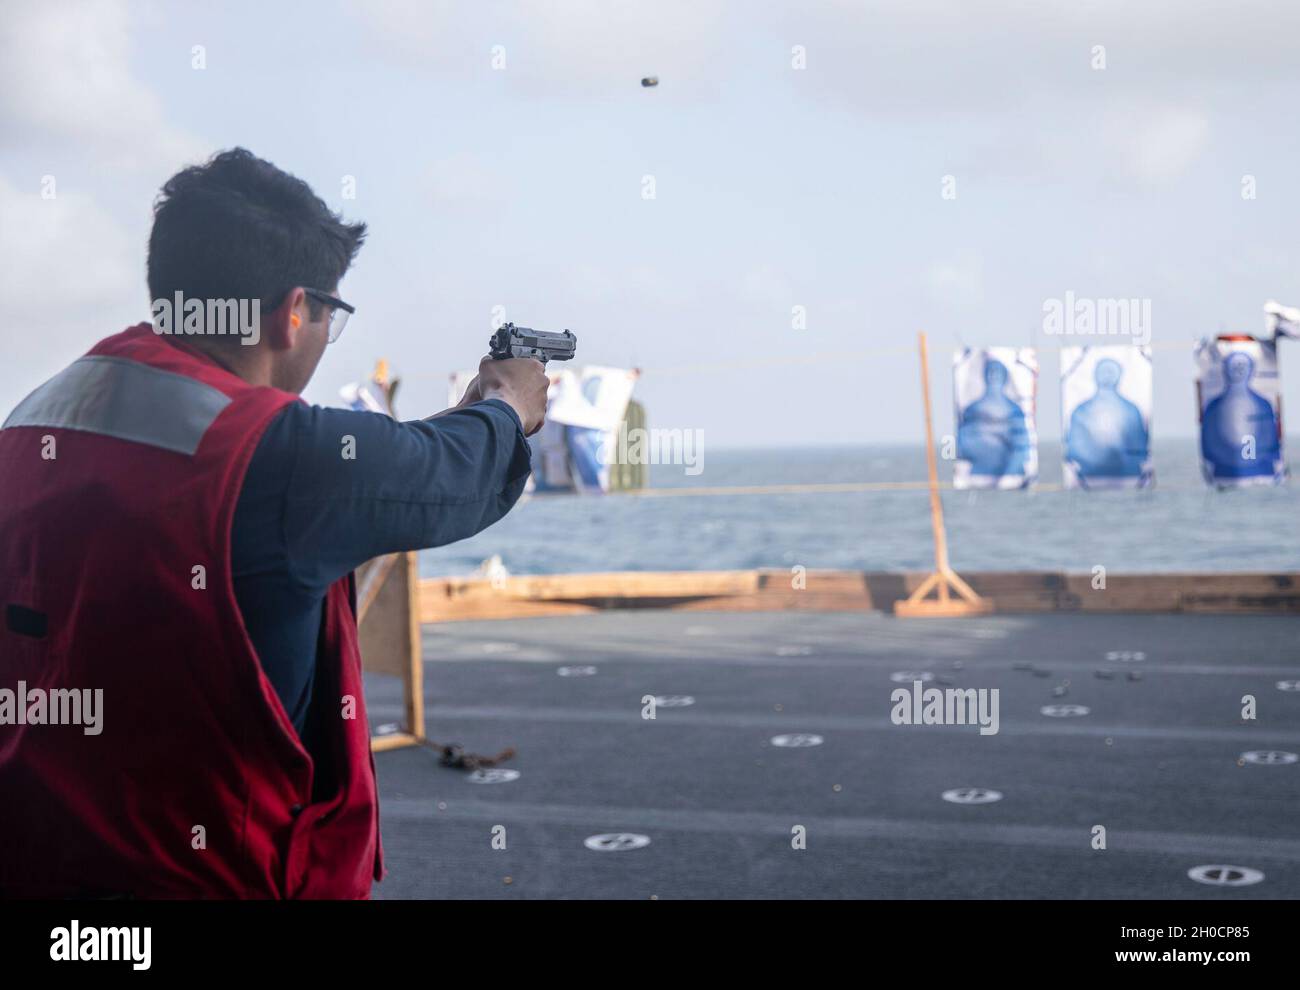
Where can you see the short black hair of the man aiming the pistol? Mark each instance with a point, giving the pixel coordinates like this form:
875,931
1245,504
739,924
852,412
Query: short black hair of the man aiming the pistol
239,228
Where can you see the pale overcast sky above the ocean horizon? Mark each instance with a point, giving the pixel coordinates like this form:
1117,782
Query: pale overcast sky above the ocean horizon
775,188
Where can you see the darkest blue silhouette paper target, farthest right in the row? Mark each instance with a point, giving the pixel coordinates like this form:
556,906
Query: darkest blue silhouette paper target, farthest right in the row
1241,405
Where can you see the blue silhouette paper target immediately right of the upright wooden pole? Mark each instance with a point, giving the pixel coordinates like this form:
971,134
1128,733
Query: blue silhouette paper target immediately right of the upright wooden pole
995,392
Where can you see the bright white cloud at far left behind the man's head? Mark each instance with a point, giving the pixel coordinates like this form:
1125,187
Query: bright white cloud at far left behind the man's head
72,267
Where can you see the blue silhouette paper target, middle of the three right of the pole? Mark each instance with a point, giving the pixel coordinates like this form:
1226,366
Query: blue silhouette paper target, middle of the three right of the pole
1106,418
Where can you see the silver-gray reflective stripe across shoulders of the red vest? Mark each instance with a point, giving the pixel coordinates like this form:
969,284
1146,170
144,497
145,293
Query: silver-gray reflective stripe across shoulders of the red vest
125,400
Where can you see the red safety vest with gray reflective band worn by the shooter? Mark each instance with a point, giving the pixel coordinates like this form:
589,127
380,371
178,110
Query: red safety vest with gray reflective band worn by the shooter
119,481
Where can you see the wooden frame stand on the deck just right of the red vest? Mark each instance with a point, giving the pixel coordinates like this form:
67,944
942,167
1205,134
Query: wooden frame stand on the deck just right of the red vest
388,616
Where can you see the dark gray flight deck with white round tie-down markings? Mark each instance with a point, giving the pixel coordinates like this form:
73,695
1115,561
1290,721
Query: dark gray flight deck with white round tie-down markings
1156,762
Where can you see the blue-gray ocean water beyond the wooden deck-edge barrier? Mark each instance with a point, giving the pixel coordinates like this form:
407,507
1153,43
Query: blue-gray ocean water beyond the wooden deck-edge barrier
1181,526
